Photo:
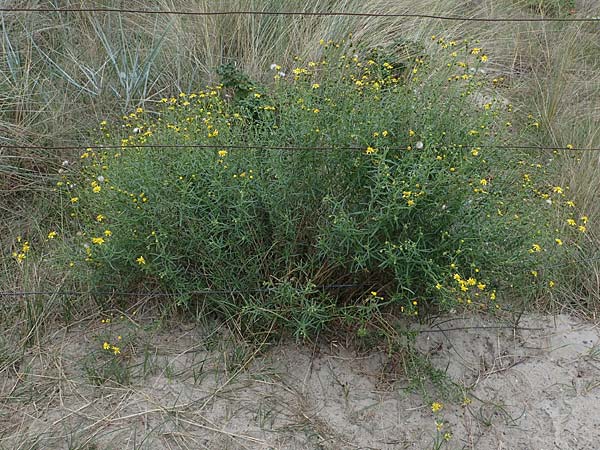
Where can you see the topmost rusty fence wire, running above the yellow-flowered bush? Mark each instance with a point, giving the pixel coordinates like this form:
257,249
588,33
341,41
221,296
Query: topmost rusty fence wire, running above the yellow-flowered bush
303,13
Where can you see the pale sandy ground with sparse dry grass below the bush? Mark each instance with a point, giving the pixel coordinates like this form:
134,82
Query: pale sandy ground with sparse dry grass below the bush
535,387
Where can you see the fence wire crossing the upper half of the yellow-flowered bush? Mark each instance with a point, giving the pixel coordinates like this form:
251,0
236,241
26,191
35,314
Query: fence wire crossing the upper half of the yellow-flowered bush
455,147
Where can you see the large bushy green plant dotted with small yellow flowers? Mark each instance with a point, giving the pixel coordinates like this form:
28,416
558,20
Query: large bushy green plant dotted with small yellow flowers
348,169
